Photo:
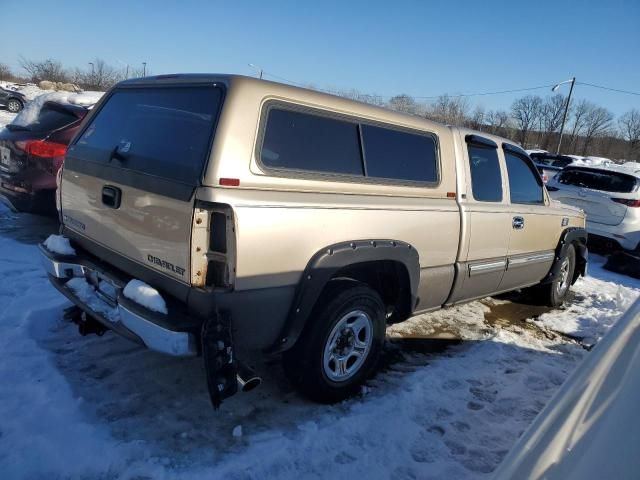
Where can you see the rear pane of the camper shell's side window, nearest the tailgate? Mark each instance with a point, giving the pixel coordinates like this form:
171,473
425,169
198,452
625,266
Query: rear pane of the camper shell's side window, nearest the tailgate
300,141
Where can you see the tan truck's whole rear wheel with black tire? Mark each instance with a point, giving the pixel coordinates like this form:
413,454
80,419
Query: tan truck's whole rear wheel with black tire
304,365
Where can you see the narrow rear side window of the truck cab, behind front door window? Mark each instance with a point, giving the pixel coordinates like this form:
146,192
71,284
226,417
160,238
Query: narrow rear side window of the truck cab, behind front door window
486,179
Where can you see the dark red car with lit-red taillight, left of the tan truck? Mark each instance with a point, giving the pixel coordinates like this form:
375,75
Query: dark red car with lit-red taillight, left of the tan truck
31,155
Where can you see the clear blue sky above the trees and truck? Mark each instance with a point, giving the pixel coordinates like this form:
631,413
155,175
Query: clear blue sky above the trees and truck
386,47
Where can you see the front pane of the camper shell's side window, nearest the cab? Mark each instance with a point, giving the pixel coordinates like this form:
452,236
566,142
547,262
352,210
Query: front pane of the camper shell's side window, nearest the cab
398,155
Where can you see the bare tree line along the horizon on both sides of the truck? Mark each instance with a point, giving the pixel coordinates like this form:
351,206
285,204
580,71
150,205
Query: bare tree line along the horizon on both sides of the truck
533,121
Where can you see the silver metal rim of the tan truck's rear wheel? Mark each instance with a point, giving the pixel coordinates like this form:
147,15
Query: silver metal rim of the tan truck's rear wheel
348,345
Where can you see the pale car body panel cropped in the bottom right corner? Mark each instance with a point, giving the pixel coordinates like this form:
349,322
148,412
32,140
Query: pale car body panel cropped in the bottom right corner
590,429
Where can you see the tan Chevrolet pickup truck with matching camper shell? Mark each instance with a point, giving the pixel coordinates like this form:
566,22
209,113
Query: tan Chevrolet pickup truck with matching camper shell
215,215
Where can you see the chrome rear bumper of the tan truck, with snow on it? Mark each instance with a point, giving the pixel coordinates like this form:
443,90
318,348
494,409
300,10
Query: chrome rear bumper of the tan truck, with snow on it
157,331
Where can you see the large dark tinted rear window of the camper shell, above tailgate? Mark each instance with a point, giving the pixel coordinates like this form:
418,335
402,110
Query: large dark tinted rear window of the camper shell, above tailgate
164,131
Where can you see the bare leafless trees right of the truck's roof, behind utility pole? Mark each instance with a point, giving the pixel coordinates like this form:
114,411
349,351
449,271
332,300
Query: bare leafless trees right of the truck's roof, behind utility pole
533,121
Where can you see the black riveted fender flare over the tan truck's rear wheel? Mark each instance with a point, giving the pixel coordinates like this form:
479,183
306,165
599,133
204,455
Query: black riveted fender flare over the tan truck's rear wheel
323,266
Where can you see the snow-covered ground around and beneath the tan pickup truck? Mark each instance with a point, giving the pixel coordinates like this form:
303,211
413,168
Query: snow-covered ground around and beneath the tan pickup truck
102,407
